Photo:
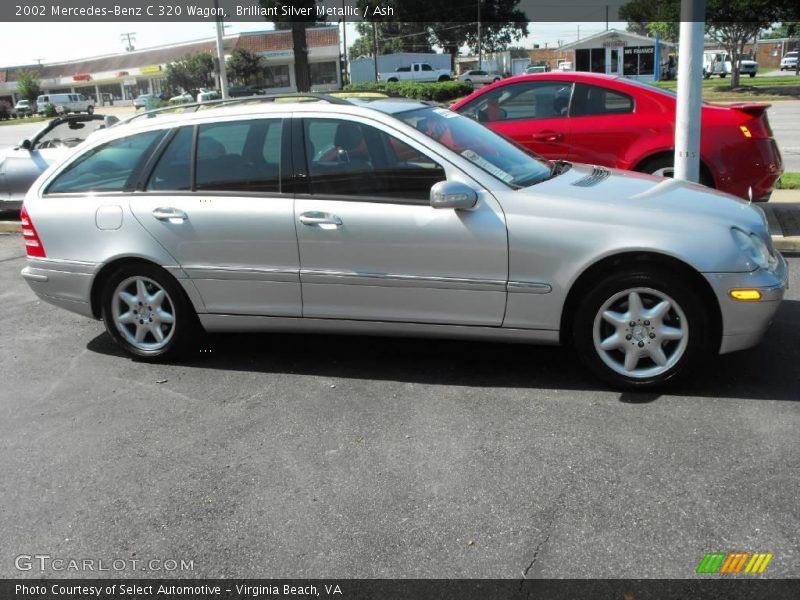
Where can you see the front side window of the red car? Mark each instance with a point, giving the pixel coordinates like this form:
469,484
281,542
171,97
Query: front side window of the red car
529,100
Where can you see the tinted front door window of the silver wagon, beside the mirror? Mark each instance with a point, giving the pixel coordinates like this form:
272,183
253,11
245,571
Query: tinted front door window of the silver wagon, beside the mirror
351,159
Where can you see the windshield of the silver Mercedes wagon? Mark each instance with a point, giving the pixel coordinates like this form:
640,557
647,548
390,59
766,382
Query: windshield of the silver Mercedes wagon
484,148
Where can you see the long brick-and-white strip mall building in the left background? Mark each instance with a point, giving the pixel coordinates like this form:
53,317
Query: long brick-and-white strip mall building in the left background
119,78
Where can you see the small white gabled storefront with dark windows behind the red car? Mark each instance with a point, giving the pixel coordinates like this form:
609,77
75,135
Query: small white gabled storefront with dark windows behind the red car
620,53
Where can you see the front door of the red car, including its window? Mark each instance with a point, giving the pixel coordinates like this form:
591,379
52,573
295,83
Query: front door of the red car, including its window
532,113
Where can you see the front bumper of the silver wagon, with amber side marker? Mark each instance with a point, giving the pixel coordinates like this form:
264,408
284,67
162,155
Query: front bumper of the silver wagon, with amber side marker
745,322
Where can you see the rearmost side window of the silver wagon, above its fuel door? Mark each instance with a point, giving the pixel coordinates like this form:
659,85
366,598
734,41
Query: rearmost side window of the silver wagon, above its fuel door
107,168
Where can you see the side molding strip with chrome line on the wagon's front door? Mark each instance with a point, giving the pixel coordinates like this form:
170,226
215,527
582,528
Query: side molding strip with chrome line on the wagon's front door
398,280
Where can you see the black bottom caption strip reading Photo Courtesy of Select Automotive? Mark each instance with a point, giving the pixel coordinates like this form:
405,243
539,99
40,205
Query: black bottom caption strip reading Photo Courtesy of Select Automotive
742,588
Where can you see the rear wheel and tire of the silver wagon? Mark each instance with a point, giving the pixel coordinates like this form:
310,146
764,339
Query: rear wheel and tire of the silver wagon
133,306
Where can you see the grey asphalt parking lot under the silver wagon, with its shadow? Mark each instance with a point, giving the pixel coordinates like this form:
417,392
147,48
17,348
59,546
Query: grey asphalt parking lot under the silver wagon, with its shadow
312,456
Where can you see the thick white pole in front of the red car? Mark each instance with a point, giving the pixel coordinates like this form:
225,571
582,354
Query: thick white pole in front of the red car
690,90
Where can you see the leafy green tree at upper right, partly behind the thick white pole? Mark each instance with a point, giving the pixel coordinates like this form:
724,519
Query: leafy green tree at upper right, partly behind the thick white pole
732,23
